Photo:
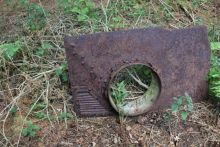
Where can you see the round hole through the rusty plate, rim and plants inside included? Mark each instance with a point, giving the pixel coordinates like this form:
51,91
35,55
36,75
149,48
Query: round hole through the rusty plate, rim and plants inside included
133,89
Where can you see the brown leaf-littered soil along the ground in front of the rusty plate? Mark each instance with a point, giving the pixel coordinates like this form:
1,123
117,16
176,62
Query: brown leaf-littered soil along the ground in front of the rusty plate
151,129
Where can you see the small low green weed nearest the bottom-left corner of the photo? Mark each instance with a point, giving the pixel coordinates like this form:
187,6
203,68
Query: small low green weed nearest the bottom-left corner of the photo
30,130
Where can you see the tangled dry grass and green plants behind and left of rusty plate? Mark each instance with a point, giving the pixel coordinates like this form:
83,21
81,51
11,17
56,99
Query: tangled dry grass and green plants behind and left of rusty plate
32,58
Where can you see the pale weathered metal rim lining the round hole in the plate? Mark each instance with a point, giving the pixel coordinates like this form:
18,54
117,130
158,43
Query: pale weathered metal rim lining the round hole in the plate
141,105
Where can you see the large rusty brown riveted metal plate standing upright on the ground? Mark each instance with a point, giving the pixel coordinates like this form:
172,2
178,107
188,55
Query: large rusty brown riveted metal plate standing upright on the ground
181,58
